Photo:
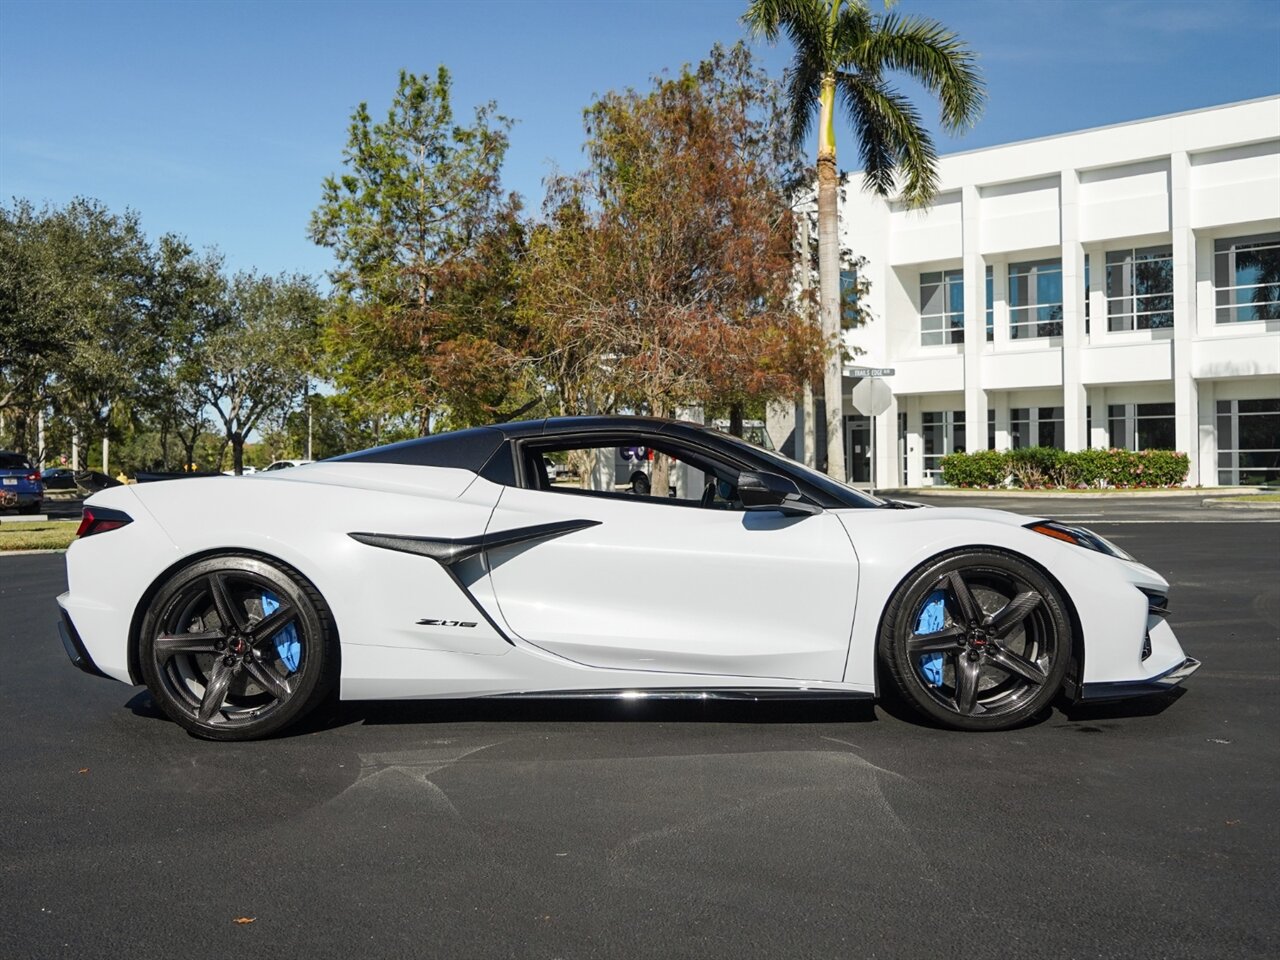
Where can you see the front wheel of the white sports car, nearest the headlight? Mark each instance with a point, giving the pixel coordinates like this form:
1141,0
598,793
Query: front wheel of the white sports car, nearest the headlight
998,650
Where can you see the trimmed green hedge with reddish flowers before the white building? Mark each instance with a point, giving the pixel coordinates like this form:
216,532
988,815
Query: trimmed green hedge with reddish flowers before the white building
1037,468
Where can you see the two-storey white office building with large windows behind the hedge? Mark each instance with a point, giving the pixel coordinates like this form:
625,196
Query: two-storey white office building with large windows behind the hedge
1117,287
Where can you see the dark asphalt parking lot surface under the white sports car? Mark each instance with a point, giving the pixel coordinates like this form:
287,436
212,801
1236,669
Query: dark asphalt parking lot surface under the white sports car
563,830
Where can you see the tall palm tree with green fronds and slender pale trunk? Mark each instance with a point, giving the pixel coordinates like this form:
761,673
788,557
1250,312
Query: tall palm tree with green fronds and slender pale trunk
843,53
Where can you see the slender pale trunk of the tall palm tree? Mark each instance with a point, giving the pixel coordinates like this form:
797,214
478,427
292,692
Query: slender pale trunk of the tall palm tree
829,278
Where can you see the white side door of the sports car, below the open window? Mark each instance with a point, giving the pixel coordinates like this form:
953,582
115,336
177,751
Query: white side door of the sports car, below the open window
662,586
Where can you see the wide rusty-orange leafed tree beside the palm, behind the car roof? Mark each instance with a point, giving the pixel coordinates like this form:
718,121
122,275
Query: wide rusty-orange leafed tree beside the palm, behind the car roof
662,276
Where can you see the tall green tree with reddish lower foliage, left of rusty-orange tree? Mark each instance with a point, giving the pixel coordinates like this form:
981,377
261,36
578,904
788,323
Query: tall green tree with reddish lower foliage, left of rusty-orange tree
426,244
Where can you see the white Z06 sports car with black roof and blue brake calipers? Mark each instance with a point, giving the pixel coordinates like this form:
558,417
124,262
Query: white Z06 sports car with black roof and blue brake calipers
451,568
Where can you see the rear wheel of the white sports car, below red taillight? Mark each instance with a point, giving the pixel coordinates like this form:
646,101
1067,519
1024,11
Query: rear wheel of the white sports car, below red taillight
248,680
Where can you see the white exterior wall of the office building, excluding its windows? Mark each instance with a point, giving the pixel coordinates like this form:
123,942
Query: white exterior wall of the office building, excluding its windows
1186,181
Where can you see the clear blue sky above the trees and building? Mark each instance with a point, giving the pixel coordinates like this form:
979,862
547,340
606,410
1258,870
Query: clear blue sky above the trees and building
220,121
